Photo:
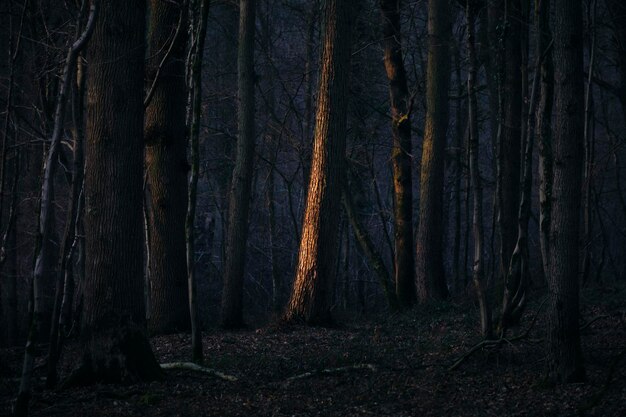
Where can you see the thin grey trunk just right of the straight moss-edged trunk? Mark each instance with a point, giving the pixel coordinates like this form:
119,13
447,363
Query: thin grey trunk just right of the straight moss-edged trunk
476,184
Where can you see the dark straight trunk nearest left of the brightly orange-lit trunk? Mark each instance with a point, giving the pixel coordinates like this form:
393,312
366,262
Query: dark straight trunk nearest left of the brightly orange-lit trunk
241,186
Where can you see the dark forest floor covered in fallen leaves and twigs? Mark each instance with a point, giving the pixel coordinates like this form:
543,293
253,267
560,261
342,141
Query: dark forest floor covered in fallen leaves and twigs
391,365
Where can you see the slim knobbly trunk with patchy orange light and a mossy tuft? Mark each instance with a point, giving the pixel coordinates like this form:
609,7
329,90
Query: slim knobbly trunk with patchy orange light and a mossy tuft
400,154
